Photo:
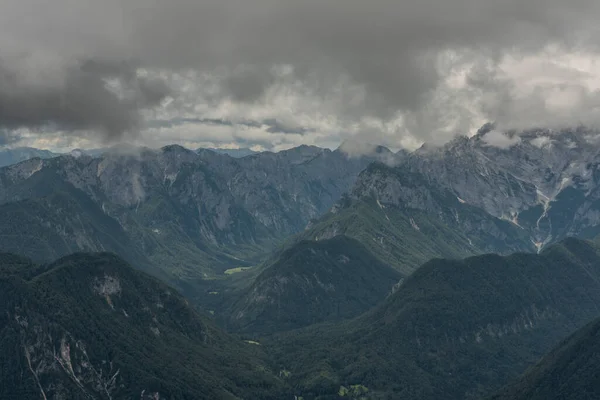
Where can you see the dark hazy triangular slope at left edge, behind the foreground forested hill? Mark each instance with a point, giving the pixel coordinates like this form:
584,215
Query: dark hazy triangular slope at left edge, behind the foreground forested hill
55,219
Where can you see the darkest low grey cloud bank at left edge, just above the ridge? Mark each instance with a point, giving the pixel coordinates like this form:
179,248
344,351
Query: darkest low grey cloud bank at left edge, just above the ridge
82,100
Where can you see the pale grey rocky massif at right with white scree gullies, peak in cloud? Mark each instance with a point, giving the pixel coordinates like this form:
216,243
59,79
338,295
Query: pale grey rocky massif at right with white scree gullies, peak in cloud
545,183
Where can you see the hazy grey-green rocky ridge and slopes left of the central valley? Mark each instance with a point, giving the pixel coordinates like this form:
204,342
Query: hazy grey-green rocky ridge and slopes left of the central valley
192,213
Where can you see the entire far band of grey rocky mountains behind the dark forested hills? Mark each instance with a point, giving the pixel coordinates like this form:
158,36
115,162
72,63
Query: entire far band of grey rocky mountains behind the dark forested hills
198,213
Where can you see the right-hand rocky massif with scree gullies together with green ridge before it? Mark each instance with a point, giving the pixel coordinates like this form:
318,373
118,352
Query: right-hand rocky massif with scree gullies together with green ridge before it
471,197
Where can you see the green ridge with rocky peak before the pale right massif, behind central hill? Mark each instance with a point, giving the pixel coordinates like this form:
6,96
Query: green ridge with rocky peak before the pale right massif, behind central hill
404,220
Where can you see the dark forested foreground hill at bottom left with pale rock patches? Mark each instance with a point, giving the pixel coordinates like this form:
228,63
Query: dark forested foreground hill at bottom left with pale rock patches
90,327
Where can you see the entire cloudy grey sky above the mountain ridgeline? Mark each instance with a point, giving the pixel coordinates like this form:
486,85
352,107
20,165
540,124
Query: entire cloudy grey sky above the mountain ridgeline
272,74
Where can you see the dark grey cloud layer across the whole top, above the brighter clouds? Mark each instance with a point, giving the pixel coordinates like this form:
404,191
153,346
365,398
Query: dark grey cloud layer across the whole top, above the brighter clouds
388,48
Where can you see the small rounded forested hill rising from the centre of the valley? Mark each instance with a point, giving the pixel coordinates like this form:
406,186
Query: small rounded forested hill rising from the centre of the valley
313,282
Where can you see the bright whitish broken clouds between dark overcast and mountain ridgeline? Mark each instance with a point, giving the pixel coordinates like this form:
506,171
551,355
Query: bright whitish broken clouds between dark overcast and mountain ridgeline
551,88
